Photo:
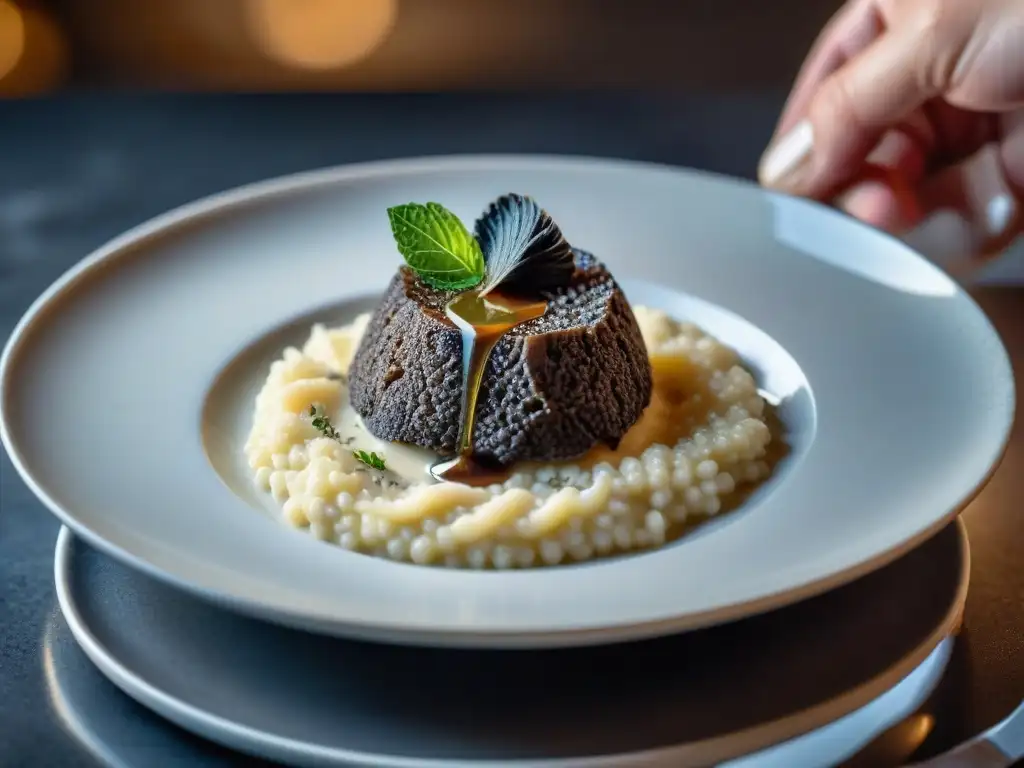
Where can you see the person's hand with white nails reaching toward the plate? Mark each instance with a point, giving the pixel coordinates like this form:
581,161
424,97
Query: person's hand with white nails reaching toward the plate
906,108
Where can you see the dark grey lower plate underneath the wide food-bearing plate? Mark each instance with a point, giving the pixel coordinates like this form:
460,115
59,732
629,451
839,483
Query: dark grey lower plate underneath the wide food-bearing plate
694,700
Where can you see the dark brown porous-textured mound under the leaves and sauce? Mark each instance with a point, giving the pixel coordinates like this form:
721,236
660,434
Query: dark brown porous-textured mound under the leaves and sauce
553,389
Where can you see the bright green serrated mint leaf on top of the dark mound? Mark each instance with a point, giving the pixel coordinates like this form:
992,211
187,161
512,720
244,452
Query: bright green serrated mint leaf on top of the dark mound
438,246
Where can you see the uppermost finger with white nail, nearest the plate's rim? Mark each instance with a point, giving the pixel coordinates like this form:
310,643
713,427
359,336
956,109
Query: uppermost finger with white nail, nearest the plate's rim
855,107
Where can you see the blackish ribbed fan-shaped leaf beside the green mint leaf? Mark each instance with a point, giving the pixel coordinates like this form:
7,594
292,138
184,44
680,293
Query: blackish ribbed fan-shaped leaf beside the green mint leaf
524,249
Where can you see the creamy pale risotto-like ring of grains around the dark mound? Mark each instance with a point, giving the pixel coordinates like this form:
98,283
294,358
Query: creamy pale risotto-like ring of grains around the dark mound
703,438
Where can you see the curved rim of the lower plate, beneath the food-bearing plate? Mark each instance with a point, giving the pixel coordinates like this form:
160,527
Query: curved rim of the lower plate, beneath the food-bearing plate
712,751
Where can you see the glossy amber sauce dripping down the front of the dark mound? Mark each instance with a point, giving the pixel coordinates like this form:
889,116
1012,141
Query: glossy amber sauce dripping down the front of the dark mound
482,322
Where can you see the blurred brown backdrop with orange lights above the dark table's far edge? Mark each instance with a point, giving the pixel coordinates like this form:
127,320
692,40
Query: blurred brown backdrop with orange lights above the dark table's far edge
403,45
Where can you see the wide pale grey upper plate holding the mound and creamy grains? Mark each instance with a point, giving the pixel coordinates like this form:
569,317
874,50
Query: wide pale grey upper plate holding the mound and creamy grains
898,391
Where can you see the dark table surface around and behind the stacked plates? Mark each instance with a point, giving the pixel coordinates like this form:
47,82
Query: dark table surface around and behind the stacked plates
76,172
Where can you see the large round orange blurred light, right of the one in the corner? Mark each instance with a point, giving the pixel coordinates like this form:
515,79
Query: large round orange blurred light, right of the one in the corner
320,34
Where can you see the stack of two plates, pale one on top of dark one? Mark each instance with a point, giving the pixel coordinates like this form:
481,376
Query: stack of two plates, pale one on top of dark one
788,632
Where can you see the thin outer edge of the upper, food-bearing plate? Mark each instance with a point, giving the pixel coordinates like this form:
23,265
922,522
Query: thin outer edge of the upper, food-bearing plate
222,202
